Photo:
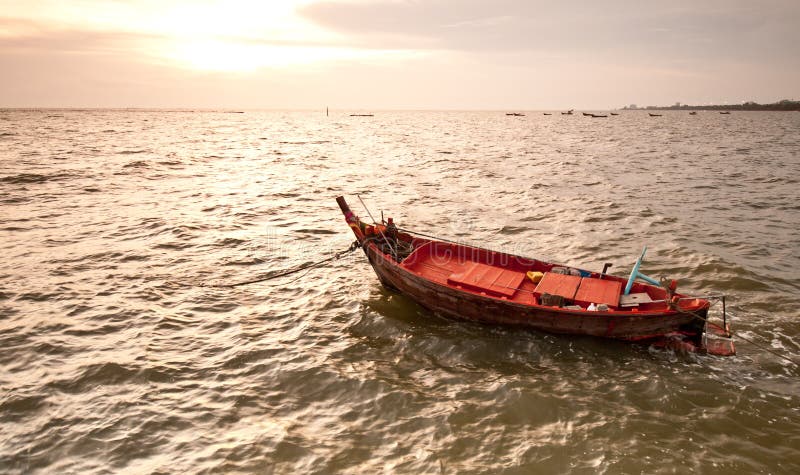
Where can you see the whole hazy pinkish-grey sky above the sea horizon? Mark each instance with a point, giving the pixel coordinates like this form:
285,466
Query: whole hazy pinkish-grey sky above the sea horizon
397,54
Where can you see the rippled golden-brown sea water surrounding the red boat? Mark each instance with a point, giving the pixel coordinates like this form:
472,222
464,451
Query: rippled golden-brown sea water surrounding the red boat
118,354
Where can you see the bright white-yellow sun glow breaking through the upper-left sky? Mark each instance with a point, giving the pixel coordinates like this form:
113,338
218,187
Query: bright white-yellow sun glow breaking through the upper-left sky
206,35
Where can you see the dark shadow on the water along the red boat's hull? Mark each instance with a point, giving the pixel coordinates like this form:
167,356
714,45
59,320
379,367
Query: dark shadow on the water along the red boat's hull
391,322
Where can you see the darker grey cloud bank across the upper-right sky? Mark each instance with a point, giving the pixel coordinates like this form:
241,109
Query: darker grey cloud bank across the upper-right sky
669,30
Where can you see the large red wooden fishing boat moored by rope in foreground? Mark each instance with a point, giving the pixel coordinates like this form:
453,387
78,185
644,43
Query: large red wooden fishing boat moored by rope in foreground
492,287
